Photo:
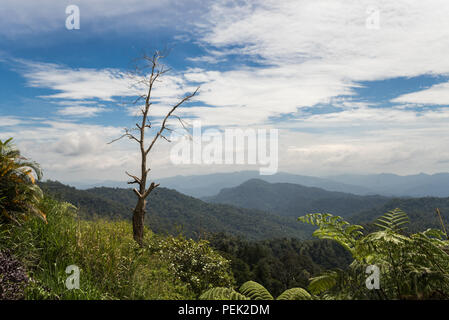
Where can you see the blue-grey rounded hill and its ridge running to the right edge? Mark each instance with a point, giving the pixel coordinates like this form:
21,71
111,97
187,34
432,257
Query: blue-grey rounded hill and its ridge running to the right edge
295,200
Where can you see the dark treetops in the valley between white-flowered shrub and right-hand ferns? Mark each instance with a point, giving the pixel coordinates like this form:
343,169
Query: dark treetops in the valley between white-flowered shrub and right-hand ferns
279,264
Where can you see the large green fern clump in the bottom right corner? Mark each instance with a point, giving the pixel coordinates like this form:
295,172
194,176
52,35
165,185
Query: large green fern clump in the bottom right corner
412,266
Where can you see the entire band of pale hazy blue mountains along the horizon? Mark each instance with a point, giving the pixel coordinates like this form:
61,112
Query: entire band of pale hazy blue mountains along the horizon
199,186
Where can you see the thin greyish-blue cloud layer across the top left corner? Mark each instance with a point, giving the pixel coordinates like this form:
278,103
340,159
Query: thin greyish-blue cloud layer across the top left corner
29,17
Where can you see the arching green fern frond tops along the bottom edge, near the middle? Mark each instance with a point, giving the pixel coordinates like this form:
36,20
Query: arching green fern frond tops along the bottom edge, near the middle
252,290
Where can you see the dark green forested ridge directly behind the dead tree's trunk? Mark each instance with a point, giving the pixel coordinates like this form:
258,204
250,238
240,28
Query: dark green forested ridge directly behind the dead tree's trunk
170,212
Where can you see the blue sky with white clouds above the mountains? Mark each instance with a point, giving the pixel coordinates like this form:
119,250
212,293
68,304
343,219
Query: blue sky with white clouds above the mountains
353,86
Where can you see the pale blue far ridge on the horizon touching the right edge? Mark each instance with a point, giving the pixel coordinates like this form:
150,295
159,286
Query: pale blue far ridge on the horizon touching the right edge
419,185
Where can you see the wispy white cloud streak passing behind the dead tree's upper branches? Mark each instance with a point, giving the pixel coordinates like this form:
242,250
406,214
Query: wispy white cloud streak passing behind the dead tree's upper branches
102,84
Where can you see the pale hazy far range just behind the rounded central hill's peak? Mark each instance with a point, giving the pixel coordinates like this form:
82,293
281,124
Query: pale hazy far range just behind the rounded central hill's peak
208,185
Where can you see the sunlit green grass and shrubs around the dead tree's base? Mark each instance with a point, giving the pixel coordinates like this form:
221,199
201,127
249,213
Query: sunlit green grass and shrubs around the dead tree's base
112,264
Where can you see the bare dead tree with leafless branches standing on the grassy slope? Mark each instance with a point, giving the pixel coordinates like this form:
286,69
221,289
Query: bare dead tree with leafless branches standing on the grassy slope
155,71
